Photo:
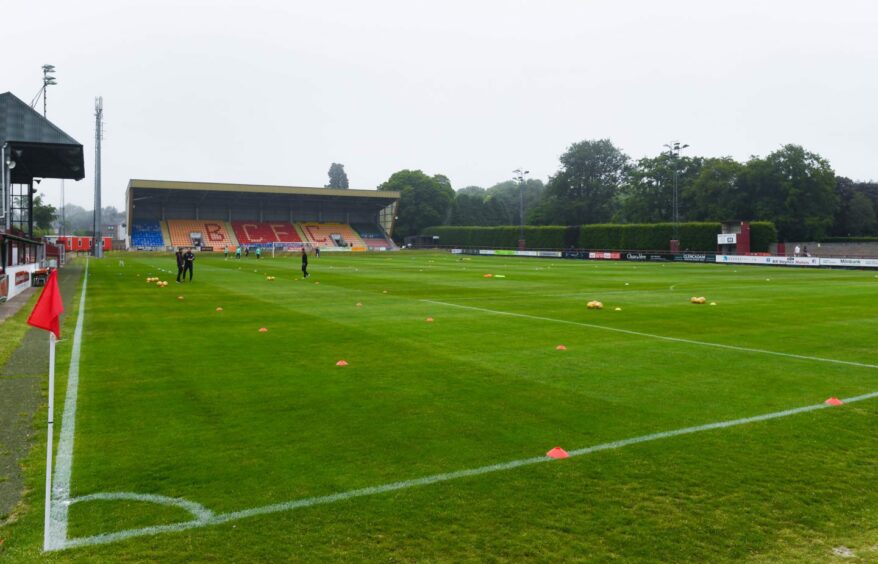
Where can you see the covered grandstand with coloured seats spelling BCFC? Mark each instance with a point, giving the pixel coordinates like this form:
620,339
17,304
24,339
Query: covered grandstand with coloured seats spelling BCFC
211,216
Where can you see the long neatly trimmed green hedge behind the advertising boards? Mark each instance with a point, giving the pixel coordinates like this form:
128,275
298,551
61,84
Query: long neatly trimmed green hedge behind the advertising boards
694,236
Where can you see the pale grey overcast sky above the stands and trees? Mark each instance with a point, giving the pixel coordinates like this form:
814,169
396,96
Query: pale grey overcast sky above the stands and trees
272,92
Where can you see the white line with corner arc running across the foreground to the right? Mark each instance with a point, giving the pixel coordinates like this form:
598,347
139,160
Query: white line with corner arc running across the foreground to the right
206,519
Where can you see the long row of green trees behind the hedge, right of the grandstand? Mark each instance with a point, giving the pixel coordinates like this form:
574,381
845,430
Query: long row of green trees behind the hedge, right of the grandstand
597,182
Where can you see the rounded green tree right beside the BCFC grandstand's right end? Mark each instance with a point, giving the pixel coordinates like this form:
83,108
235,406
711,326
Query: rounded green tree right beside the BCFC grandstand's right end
423,202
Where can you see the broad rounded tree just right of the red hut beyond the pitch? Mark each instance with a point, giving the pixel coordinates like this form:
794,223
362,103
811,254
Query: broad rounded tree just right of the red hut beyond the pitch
795,189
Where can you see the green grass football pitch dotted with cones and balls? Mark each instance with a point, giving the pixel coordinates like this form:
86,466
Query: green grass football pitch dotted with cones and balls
695,432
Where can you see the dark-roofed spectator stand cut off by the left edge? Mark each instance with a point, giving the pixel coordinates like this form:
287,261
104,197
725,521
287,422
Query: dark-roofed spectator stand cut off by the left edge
31,148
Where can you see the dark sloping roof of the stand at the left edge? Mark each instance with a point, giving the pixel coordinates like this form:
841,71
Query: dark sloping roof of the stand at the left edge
39,148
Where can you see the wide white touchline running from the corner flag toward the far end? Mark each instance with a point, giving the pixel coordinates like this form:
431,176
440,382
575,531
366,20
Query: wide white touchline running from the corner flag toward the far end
64,462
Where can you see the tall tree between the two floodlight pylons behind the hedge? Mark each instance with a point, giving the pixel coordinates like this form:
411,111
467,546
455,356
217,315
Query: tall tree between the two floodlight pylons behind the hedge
586,188
